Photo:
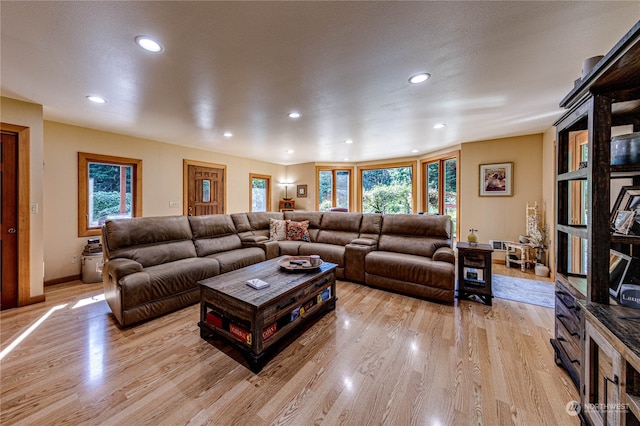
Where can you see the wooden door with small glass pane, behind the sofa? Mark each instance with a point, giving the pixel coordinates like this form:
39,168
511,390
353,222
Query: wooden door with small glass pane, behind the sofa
205,190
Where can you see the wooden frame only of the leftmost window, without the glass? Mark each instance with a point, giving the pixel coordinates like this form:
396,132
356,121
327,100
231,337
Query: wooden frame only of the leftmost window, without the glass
84,230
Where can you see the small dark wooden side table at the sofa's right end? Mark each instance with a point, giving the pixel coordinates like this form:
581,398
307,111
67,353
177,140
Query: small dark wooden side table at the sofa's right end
474,271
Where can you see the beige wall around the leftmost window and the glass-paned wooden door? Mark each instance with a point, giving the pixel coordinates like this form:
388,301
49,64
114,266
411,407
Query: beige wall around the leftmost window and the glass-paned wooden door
161,176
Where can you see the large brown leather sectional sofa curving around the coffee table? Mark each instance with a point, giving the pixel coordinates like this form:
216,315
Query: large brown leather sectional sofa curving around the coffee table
152,264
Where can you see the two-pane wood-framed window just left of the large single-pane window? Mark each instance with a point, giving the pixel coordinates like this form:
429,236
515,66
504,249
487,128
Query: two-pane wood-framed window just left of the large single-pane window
334,188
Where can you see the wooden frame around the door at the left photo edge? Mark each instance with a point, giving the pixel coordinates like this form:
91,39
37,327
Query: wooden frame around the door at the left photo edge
24,216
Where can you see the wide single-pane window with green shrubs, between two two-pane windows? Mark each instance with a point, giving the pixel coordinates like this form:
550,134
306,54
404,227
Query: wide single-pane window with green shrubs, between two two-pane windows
387,188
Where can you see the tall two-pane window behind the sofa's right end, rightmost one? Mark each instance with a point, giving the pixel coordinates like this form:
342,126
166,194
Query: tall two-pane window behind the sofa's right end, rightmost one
440,186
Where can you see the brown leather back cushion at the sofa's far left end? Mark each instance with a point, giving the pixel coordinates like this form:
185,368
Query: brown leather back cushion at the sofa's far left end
149,240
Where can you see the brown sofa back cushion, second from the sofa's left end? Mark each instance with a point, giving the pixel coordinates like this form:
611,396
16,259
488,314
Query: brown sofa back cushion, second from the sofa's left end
214,233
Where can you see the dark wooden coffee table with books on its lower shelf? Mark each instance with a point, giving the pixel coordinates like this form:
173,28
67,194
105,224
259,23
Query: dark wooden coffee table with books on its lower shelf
254,320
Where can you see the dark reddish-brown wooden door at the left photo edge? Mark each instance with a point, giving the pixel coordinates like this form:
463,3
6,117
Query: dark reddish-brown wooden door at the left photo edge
9,220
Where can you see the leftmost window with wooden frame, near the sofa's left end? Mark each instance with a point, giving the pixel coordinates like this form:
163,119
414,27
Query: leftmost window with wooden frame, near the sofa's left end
108,187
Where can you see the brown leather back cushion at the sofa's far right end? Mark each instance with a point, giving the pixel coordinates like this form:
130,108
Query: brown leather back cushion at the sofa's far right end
421,235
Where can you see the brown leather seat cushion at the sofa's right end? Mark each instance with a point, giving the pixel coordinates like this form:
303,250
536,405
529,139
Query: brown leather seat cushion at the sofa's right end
411,268
